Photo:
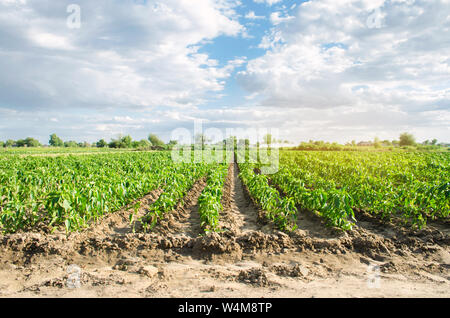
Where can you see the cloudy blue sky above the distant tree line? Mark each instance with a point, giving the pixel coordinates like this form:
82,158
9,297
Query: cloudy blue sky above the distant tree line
320,69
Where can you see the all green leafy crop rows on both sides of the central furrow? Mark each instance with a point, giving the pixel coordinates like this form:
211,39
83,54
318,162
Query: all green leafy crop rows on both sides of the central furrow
74,191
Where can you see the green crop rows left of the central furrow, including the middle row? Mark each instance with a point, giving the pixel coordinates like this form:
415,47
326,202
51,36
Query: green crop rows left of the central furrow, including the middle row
75,191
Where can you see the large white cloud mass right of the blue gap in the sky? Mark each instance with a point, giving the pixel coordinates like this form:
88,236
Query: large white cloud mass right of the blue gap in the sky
366,55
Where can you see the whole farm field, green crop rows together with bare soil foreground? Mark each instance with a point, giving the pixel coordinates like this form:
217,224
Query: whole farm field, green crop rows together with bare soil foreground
139,224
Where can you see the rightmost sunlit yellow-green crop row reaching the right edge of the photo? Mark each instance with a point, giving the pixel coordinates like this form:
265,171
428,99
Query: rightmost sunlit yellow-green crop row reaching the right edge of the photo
413,196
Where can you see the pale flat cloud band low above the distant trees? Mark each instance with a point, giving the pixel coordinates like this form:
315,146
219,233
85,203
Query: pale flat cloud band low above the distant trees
340,124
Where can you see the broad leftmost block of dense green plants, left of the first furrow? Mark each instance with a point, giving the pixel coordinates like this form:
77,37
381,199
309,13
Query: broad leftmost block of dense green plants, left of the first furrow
74,191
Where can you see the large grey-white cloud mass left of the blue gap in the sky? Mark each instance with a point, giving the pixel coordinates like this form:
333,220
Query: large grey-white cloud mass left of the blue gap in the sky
125,54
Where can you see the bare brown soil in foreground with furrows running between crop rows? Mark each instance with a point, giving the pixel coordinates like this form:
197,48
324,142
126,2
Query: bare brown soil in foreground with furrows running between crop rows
248,258
